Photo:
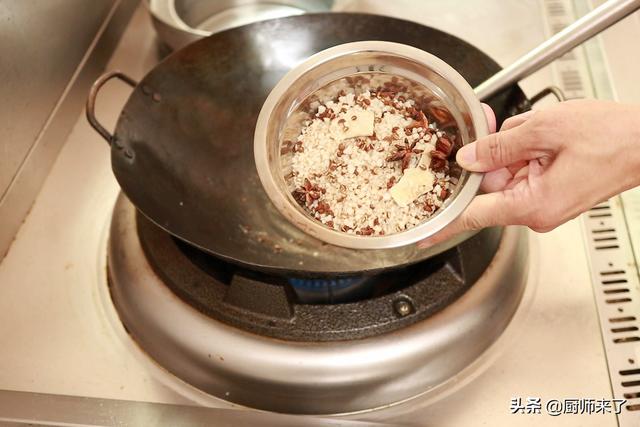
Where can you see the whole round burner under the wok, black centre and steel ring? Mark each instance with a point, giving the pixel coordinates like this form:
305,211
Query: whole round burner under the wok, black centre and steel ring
271,342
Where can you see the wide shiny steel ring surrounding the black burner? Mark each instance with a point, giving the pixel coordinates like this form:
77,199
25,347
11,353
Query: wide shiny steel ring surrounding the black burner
310,378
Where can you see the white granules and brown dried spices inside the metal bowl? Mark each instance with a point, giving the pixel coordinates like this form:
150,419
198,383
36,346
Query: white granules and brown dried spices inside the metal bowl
349,182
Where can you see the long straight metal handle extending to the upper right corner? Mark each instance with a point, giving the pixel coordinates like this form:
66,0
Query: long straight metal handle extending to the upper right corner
583,29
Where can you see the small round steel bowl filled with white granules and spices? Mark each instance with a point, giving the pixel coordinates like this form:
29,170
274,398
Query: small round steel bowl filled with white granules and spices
297,107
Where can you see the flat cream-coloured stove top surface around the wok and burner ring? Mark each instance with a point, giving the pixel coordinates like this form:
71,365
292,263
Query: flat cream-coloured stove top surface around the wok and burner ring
62,334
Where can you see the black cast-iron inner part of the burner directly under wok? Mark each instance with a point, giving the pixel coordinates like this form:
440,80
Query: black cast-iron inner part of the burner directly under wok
315,308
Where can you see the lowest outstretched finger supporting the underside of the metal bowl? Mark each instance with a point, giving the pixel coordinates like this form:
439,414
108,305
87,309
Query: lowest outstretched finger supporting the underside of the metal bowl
484,211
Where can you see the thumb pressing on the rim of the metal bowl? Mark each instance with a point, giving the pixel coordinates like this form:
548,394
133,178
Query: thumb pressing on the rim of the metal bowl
496,150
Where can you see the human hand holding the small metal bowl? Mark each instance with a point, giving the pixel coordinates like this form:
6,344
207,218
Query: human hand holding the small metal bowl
545,167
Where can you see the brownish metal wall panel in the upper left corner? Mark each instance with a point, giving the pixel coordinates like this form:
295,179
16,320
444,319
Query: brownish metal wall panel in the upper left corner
51,53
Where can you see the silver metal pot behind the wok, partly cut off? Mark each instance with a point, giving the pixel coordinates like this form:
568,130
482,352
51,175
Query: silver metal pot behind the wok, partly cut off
180,22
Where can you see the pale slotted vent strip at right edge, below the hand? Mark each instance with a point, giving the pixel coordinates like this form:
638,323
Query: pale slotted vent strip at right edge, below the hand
617,293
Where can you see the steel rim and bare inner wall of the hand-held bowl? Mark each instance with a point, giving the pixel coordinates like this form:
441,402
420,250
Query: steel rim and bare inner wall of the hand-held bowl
323,71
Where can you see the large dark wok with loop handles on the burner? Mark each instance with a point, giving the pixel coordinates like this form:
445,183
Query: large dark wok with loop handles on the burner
182,149
